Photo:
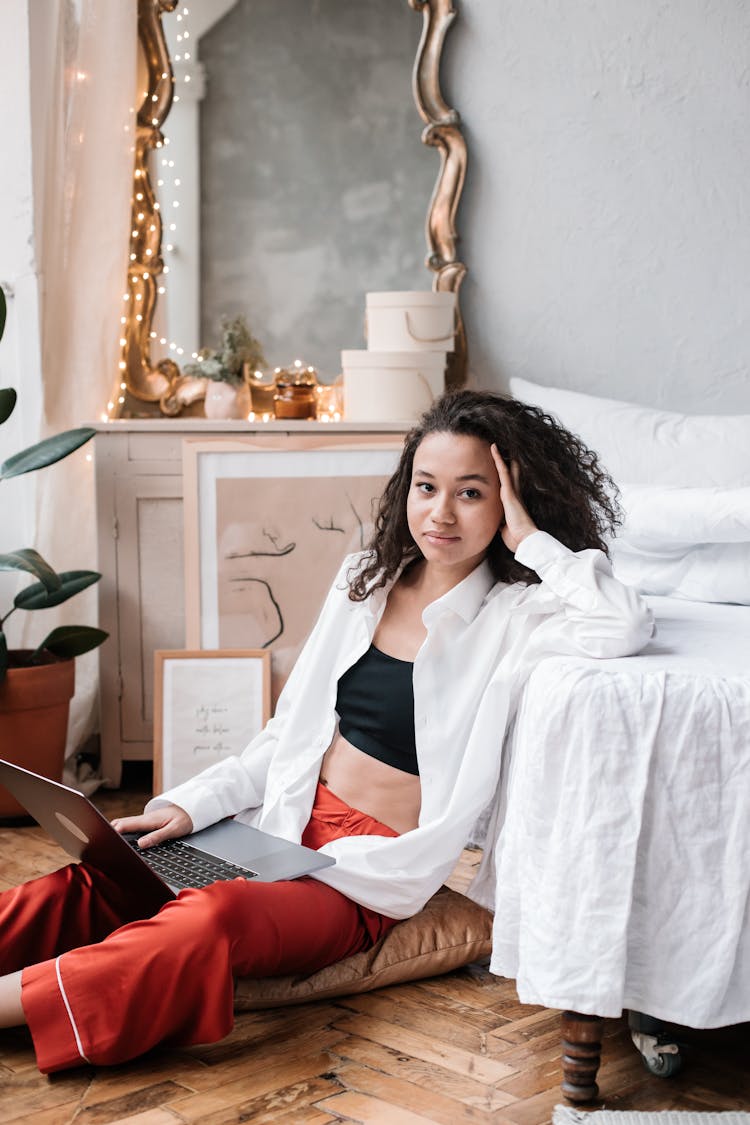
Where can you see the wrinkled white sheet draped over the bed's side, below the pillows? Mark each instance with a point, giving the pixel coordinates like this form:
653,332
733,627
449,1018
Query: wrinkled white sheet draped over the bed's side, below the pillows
624,862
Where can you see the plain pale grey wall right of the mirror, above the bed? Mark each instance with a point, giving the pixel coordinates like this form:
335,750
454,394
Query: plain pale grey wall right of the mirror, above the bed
607,220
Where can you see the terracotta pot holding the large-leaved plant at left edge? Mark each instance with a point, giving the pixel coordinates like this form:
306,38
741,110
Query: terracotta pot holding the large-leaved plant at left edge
34,706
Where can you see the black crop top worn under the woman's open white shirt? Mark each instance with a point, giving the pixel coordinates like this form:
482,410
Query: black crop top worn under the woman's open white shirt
376,709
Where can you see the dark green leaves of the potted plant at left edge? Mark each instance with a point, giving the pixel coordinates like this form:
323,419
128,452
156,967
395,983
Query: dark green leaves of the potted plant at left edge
50,589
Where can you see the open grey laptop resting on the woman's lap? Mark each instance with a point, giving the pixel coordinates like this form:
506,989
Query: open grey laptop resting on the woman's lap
228,850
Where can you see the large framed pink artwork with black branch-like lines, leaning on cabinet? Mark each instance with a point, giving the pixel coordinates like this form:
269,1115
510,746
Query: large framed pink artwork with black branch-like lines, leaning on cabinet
268,523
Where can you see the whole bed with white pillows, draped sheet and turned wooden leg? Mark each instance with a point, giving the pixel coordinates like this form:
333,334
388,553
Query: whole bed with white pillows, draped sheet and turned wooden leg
624,854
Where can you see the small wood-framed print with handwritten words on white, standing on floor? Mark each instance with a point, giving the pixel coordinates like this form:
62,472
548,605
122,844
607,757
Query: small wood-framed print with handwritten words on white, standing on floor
209,705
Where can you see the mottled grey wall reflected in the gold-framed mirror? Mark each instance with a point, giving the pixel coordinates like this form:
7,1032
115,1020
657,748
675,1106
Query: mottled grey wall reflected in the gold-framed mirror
315,184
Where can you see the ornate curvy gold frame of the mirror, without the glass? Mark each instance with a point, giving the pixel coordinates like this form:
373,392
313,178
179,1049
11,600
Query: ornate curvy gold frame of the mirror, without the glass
162,383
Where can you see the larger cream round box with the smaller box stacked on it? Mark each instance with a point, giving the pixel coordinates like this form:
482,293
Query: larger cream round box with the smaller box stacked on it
391,386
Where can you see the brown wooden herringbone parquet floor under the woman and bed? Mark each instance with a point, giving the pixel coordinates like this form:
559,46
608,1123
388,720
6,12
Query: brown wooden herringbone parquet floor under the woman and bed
451,1050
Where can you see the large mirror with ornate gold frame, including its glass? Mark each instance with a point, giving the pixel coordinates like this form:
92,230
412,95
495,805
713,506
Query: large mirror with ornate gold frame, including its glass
297,123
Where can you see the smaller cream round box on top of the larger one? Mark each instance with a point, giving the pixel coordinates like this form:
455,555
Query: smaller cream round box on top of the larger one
411,321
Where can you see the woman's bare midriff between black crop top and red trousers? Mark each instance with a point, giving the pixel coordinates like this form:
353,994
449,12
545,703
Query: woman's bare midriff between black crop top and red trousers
391,796
